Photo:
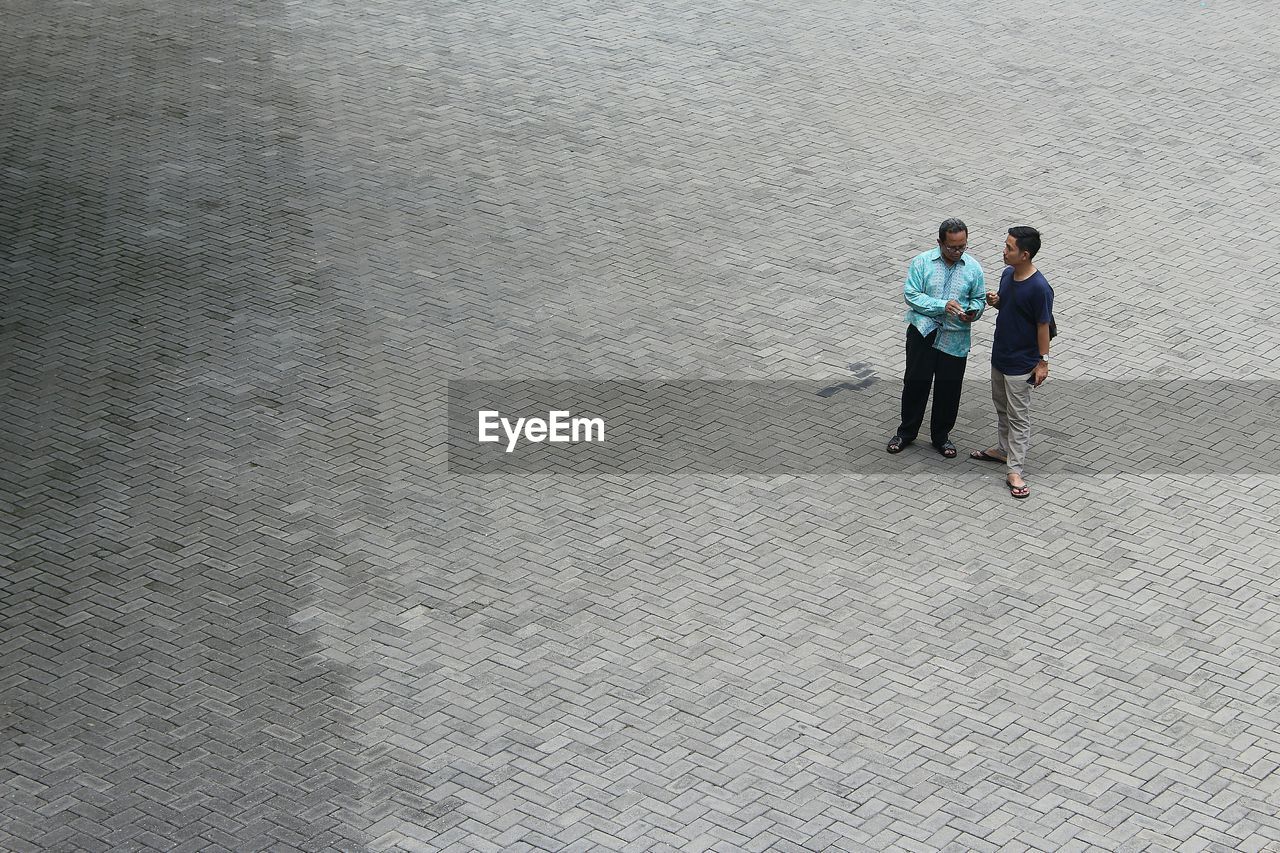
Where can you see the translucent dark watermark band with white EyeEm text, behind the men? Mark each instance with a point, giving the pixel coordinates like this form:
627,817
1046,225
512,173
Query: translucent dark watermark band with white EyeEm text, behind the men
836,425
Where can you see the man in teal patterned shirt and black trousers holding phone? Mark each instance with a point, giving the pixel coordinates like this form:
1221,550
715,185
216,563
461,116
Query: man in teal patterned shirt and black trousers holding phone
945,294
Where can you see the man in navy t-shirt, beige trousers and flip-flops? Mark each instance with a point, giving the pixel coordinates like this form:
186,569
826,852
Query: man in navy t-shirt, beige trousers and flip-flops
1020,353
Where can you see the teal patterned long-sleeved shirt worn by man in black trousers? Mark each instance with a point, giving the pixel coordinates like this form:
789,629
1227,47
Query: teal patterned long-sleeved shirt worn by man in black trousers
931,282
